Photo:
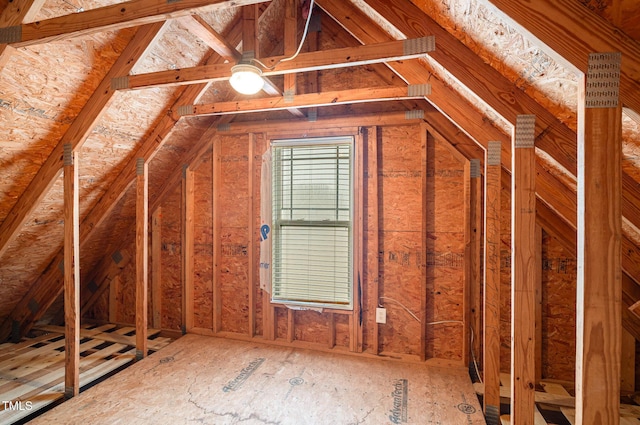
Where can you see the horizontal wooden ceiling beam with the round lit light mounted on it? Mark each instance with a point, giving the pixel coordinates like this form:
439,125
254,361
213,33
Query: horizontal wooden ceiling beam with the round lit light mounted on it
305,62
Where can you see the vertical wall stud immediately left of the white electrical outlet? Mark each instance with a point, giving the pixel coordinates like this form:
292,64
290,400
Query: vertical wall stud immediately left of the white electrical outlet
373,269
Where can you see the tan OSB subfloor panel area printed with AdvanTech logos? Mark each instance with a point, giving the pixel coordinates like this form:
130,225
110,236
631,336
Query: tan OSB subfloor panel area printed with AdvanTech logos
207,380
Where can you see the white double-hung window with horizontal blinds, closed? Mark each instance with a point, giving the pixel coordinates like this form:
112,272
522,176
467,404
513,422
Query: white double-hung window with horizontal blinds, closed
312,189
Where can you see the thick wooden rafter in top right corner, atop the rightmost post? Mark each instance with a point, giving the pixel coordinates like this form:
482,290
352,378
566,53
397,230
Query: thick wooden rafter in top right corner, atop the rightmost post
573,31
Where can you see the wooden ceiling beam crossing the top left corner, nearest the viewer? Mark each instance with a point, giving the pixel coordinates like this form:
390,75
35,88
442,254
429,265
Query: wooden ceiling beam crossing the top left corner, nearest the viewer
109,18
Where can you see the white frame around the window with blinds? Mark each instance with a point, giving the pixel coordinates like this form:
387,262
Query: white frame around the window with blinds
349,140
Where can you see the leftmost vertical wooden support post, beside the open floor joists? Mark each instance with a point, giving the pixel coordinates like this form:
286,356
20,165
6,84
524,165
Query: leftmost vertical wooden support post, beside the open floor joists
71,273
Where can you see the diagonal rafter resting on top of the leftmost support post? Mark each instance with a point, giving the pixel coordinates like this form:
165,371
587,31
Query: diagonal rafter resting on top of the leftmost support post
76,135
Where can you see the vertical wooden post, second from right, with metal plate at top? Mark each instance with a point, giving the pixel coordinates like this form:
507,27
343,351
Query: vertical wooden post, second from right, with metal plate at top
523,274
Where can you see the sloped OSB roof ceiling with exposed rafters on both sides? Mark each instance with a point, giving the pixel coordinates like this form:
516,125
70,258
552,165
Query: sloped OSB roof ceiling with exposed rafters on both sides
493,61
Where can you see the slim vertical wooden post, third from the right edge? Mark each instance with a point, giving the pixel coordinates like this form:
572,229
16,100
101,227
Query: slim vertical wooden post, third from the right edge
491,310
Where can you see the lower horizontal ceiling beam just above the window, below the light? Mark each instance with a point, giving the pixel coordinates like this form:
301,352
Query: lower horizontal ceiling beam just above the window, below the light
329,98
